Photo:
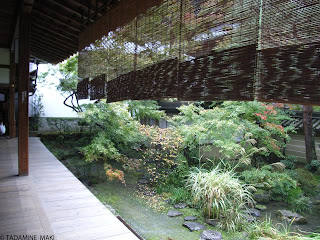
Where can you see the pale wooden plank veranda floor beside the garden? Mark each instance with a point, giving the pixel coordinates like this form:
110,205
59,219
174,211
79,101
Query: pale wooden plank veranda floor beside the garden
50,201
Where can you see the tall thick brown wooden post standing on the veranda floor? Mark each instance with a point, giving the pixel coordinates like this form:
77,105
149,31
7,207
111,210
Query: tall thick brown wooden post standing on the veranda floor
24,57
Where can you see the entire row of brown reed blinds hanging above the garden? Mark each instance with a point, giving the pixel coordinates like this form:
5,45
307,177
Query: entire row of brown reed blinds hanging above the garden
208,50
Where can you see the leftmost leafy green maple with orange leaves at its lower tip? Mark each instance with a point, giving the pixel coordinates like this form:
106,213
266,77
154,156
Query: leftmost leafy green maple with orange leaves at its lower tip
115,131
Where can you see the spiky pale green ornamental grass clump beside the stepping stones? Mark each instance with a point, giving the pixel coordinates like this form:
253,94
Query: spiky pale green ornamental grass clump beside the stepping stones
220,195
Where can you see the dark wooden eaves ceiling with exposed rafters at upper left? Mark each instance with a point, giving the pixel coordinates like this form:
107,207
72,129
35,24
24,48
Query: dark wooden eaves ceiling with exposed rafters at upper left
56,25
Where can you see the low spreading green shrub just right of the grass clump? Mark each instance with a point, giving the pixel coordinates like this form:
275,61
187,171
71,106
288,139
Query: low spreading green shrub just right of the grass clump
279,183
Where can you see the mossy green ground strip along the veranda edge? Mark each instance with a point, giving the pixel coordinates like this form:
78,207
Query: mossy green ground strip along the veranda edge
139,206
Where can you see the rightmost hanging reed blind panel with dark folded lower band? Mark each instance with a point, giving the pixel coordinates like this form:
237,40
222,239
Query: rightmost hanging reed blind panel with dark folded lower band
289,59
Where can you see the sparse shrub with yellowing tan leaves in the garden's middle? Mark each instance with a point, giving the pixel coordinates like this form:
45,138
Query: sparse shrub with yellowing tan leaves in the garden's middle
160,151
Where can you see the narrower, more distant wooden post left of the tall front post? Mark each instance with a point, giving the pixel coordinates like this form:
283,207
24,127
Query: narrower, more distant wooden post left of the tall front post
12,121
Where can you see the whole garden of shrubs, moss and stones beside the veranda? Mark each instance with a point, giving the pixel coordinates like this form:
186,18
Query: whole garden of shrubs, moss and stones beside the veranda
219,171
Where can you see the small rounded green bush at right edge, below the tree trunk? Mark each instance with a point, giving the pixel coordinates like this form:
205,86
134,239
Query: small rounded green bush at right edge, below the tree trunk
307,181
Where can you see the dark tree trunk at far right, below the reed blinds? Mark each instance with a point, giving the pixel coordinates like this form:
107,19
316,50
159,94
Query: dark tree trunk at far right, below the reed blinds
309,134
